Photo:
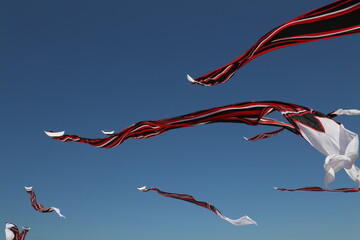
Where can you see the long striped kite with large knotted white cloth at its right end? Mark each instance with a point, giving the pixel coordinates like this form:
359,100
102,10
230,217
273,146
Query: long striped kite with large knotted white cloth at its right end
326,135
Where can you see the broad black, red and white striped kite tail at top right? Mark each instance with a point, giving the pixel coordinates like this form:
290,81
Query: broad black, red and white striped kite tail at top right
337,19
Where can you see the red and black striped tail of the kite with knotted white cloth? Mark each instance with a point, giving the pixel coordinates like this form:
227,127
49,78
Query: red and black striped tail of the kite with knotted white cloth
251,113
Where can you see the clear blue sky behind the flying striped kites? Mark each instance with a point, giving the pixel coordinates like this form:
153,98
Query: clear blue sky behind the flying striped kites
83,66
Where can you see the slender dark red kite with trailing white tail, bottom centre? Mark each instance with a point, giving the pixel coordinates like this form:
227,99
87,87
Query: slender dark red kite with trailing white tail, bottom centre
245,220
